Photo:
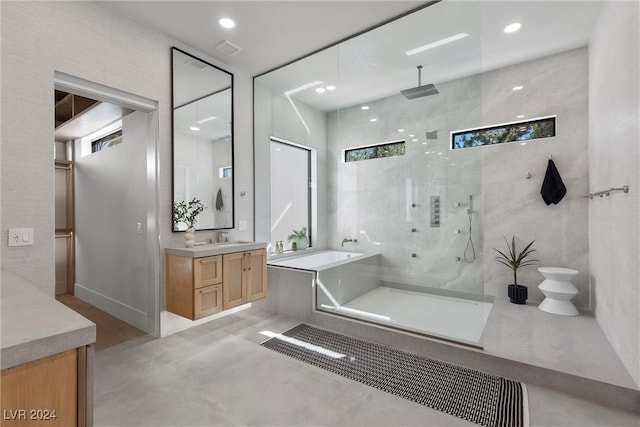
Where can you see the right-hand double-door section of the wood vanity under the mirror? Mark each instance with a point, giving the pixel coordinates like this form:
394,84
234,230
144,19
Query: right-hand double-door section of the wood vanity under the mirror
245,277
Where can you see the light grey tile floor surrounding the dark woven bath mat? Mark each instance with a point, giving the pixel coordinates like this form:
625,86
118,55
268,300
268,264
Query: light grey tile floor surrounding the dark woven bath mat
217,374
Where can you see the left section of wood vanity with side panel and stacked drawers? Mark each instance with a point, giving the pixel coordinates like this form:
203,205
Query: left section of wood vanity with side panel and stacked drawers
194,285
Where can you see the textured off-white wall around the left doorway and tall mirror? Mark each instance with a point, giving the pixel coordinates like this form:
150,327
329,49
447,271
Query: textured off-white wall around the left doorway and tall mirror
89,41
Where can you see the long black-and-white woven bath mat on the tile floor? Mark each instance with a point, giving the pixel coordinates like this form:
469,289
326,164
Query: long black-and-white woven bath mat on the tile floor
481,398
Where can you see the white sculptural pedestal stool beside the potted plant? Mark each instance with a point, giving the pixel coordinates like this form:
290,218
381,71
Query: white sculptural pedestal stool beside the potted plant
558,290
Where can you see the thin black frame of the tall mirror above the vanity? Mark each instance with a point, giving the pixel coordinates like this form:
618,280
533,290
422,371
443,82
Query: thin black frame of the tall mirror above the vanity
173,107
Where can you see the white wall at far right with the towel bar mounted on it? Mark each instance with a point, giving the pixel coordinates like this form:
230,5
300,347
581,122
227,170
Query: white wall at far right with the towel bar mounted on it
614,138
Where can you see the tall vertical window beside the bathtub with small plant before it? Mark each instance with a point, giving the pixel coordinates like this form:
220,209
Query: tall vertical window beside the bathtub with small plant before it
291,194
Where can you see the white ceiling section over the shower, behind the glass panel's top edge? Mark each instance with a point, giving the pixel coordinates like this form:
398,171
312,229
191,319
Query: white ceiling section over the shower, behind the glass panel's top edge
374,65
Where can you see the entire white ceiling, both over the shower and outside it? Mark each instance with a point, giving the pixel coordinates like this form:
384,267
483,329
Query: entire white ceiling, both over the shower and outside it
373,65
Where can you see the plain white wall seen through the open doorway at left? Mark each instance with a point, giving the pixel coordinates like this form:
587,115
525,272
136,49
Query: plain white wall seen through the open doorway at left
111,254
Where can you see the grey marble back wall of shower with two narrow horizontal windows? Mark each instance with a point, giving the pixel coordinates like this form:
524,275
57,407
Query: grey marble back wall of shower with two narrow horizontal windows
370,200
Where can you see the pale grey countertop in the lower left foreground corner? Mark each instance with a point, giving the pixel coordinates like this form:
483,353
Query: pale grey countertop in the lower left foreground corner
35,325
